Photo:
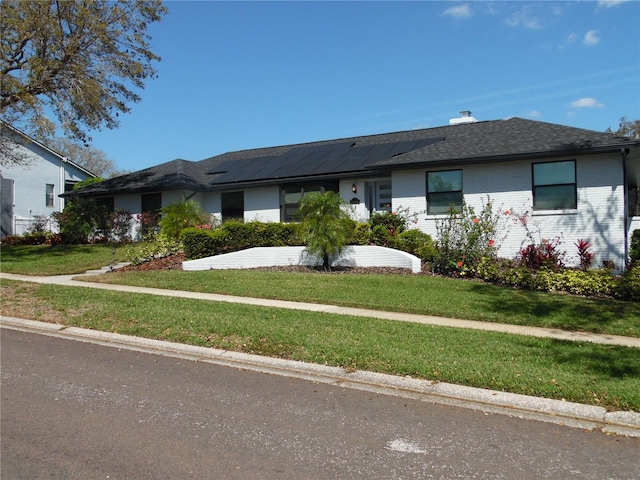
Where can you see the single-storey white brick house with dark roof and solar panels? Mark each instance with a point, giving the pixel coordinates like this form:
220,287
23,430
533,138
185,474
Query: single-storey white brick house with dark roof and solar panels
562,181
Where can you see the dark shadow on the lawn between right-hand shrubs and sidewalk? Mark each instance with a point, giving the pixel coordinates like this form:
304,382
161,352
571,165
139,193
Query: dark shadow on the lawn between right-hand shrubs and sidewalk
553,310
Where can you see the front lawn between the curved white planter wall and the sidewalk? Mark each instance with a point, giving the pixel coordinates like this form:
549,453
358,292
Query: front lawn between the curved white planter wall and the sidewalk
446,297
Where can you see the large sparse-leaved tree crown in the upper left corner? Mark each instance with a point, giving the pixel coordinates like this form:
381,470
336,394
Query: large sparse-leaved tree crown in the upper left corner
79,60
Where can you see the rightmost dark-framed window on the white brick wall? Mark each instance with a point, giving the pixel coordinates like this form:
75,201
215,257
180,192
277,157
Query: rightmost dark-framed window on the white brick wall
554,186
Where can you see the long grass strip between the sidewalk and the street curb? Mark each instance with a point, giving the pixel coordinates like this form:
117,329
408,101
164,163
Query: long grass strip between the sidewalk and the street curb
578,372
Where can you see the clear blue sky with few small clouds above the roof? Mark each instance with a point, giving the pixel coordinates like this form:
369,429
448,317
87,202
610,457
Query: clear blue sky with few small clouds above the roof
240,75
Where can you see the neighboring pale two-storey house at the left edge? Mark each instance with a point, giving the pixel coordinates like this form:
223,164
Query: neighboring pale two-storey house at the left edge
32,188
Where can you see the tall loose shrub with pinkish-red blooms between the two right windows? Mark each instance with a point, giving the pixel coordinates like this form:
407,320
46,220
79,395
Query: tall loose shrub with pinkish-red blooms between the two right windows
465,238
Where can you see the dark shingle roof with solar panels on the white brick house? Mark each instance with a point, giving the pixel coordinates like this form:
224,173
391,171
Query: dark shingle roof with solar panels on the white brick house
497,140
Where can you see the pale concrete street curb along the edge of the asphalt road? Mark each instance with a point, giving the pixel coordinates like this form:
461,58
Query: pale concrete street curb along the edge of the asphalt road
570,414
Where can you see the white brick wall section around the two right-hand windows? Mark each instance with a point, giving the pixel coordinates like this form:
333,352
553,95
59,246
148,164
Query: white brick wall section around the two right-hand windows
599,218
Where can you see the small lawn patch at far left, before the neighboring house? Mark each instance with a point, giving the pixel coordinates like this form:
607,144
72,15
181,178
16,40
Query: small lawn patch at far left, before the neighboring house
55,260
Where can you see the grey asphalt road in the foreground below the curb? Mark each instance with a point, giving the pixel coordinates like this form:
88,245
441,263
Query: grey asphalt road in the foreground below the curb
73,410
